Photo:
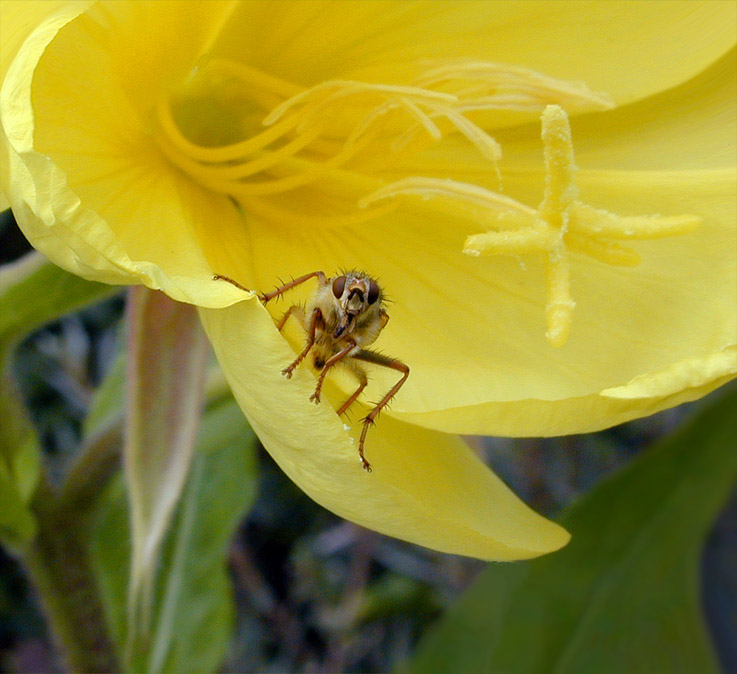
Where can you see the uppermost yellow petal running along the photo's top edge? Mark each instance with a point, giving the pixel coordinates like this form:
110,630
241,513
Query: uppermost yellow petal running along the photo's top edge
630,50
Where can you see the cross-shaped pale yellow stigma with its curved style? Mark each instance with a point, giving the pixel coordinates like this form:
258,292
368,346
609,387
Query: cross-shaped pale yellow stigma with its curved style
561,222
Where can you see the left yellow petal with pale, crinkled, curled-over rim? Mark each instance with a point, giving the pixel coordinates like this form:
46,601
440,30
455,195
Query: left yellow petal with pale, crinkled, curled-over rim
87,185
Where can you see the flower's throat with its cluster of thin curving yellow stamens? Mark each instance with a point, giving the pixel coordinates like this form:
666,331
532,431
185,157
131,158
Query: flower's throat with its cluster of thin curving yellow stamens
316,133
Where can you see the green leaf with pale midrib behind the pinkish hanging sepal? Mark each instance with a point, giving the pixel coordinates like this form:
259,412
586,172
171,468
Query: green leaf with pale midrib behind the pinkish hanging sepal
193,610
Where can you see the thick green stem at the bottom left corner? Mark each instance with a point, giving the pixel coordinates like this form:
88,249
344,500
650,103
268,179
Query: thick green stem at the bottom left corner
60,569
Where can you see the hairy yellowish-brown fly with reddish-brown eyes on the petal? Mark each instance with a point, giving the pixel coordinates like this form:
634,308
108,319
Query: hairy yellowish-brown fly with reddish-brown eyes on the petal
344,316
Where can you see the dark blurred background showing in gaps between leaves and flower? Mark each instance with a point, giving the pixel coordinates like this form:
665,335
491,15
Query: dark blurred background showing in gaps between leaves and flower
315,593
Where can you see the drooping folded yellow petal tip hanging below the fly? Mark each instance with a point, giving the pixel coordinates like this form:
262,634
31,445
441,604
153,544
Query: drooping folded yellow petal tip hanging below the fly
426,487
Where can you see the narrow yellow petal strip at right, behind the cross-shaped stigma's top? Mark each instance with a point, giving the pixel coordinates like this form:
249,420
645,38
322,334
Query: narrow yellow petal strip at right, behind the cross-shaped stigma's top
693,126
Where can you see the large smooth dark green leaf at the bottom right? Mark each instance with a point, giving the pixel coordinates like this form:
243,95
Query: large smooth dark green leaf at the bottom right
624,595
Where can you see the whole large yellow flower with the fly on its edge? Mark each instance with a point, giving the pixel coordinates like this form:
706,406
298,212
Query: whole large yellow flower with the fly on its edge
161,143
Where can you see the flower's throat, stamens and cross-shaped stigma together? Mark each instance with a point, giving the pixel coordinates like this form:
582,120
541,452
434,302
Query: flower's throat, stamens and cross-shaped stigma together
238,131
